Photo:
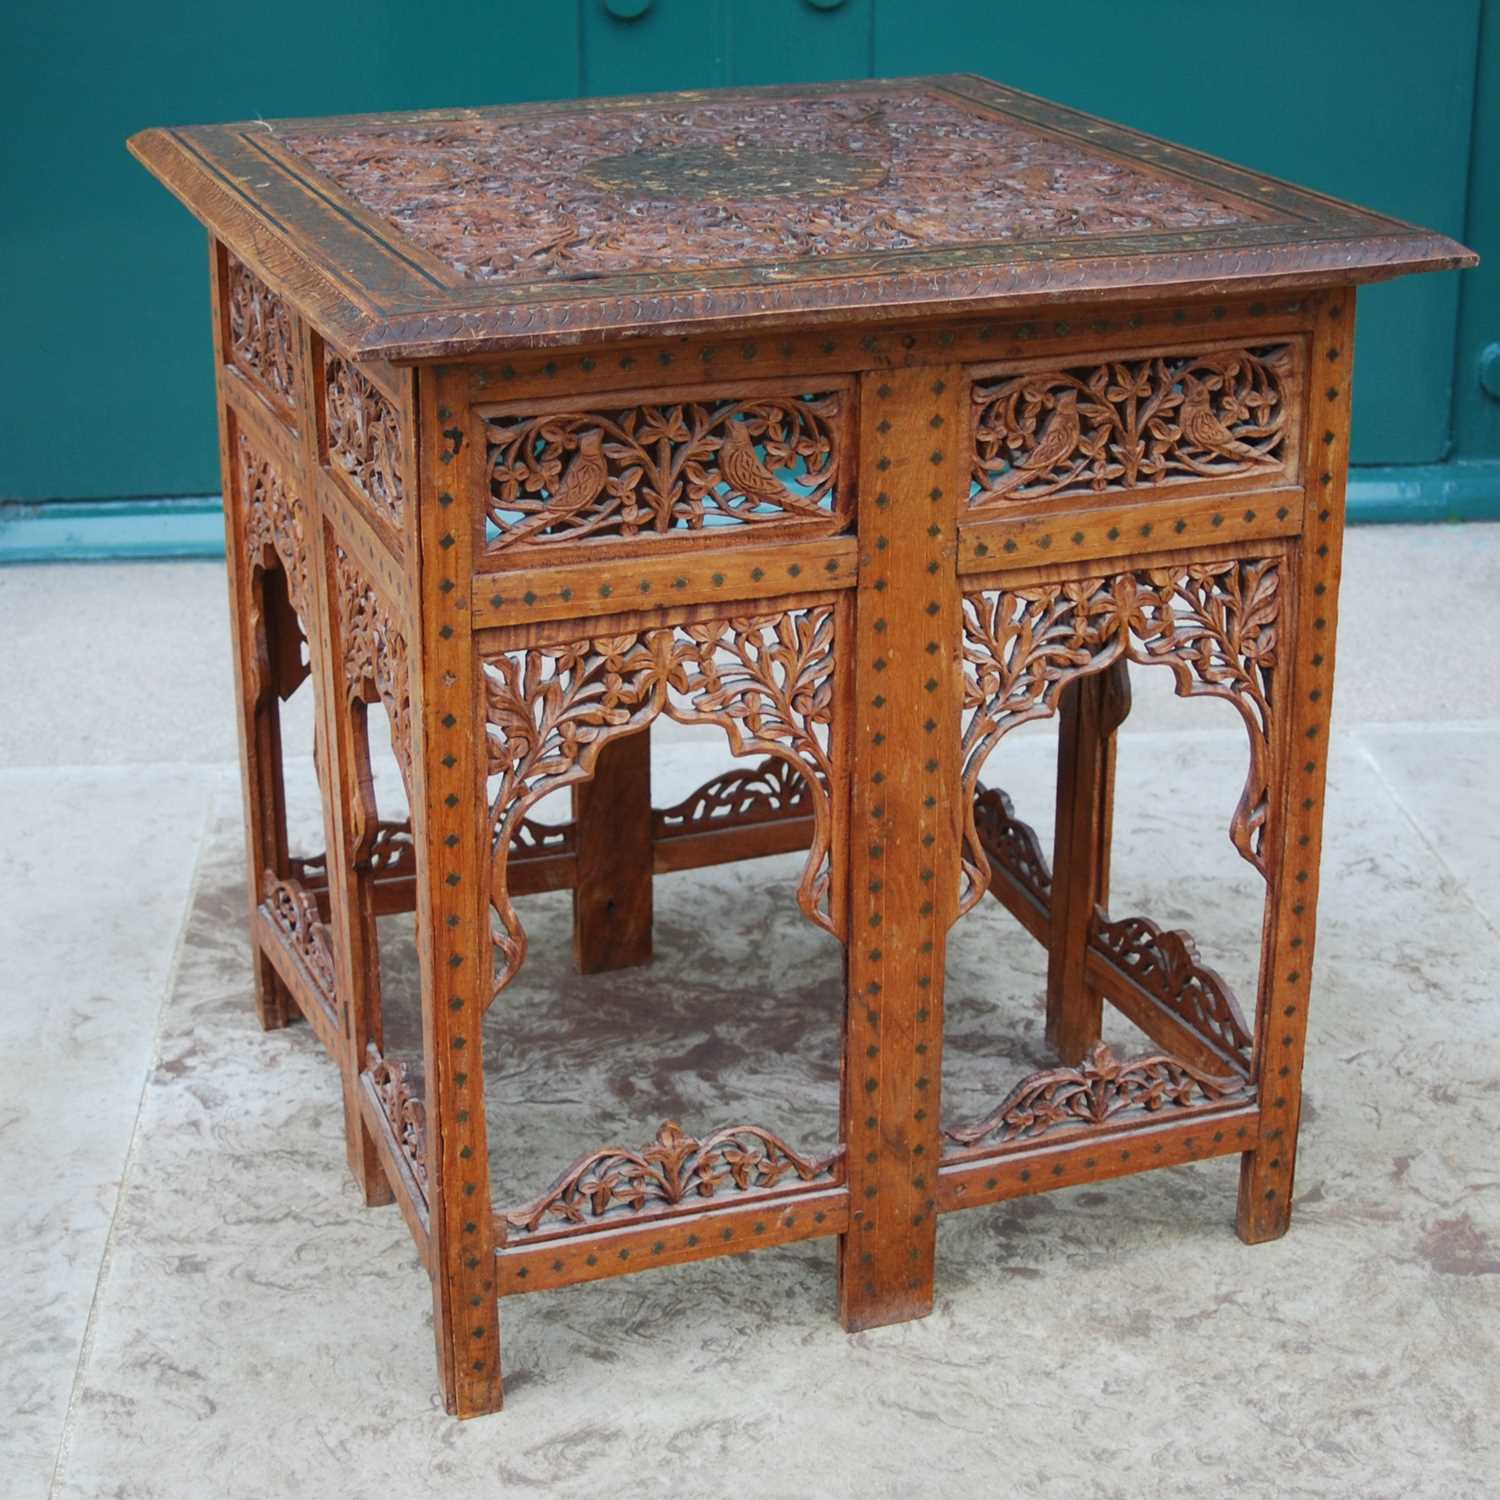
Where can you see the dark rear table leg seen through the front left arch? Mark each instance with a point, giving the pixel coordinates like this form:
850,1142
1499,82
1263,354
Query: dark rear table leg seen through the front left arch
613,836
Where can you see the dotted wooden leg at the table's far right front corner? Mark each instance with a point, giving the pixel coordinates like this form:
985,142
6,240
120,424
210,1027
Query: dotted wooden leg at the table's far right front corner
1304,677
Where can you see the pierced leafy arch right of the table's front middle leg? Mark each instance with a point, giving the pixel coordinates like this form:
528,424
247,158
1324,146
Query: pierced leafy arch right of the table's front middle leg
1214,625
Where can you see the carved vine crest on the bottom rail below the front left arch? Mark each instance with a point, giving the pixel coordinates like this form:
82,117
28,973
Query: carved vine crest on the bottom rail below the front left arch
673,1171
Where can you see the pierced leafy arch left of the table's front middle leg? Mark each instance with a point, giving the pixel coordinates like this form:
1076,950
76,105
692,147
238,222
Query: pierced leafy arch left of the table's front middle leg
766,680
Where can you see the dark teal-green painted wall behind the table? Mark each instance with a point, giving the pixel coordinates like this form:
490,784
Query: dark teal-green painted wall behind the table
106,364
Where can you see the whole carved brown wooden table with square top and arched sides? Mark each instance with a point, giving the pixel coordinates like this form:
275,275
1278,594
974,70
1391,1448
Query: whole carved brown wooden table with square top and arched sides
866,424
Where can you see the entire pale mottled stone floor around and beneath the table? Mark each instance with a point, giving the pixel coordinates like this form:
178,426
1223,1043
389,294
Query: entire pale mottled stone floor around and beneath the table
194,1303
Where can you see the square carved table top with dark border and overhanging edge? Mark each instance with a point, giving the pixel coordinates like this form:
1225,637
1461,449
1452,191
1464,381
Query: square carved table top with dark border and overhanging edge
449,233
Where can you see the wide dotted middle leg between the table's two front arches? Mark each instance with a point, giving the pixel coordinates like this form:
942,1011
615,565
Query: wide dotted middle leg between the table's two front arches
904,835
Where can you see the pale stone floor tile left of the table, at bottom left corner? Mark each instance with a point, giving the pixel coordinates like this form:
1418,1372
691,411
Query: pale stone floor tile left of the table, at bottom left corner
85,977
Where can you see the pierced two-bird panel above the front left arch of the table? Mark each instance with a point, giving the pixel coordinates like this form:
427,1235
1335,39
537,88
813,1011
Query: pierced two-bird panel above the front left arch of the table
670,470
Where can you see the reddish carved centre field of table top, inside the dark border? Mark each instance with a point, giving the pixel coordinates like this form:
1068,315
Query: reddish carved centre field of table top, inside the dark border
658,188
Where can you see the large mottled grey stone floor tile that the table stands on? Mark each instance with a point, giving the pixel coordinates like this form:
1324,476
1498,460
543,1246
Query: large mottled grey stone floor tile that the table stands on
262,1334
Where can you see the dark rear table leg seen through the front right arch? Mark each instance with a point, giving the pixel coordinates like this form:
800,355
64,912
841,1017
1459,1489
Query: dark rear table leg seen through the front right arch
1091,712
